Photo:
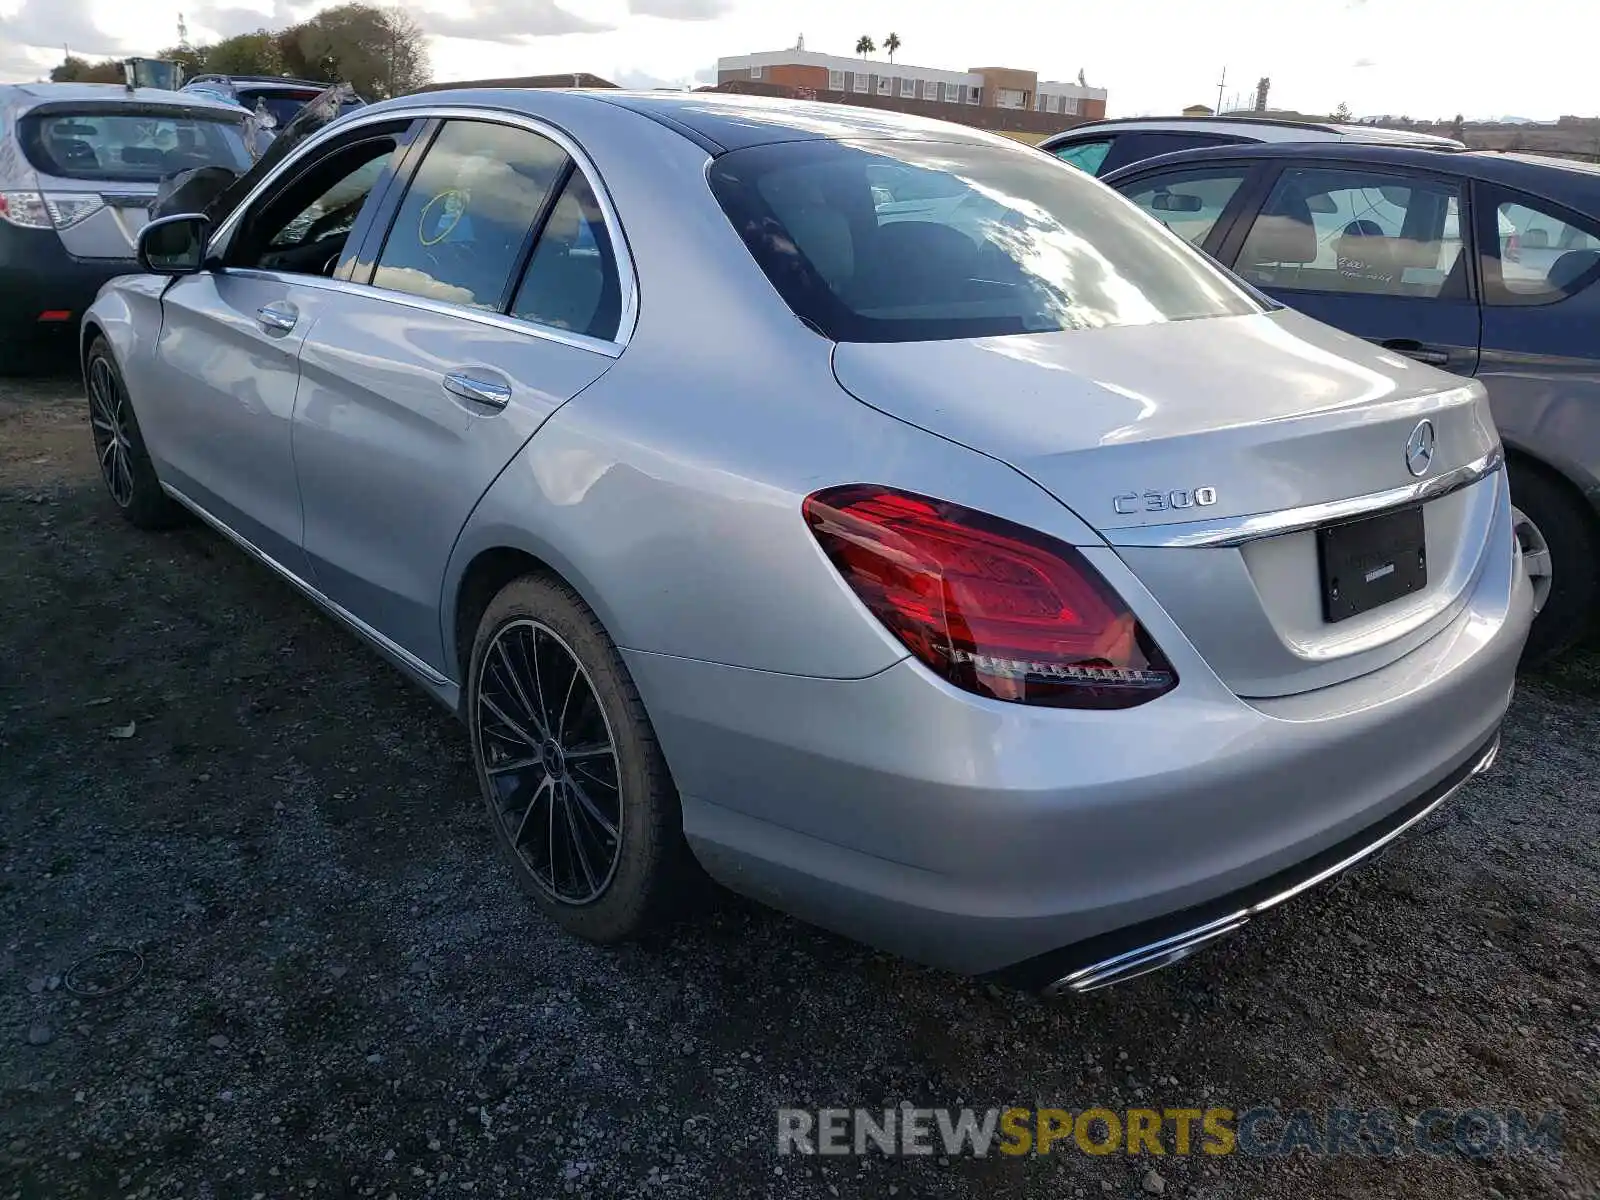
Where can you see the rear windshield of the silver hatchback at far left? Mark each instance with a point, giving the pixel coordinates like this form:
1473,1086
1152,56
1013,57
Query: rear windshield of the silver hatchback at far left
130,145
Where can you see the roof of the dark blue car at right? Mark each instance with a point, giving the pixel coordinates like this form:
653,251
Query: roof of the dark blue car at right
1561,180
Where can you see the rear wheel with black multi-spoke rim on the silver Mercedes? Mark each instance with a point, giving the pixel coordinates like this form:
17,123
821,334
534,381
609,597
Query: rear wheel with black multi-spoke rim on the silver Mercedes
577,790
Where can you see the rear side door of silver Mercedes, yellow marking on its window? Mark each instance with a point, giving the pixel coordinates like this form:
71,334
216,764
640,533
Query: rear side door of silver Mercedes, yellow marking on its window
498,292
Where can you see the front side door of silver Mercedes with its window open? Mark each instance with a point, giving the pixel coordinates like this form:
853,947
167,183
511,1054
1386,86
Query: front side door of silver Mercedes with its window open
228,356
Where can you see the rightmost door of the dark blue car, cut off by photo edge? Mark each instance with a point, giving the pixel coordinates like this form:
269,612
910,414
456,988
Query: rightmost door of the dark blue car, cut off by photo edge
1542,354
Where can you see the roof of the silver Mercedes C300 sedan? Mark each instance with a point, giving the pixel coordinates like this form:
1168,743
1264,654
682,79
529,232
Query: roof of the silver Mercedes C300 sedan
719,121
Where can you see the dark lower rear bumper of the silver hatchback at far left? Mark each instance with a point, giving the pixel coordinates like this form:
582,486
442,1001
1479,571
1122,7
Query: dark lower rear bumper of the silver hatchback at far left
38,274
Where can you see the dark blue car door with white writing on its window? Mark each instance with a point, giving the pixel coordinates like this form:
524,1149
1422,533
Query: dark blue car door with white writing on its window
1377,250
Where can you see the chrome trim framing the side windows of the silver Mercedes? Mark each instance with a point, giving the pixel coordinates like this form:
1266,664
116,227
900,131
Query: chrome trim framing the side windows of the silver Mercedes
623,254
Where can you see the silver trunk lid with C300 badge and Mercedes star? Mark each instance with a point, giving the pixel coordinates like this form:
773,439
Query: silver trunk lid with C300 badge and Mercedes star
1150,431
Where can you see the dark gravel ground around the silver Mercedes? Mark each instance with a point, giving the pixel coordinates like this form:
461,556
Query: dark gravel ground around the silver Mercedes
343,994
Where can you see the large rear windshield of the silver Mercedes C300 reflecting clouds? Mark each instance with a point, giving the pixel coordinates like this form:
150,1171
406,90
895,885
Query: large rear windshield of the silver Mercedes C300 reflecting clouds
914,241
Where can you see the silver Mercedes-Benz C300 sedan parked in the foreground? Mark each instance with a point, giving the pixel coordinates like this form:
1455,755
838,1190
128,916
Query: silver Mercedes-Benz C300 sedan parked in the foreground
879,516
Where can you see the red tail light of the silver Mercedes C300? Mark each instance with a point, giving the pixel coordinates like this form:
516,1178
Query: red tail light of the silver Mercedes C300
993,607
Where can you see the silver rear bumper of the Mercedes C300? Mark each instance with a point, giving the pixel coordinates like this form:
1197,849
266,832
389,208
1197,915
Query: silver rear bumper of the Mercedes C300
980,836
